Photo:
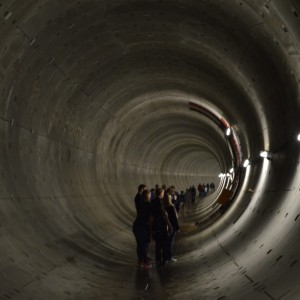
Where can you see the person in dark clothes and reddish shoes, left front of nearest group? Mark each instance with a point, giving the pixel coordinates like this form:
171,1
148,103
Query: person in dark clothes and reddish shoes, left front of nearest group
141,229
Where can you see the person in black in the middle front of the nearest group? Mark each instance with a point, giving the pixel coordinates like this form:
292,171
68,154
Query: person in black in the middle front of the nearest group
161,228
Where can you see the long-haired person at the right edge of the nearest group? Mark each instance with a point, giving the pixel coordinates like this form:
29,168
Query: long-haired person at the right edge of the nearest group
173,217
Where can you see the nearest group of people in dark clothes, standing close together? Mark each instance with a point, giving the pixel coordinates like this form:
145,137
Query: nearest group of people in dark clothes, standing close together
156,219
